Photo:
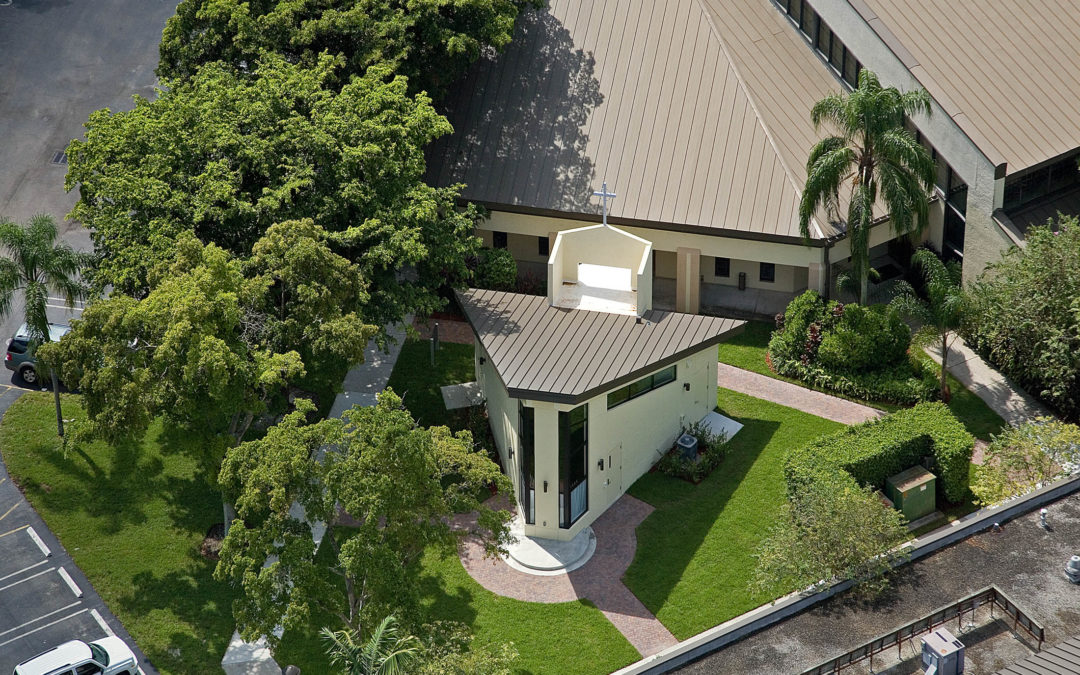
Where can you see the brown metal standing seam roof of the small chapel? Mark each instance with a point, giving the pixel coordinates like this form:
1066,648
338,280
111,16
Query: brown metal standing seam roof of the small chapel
566,356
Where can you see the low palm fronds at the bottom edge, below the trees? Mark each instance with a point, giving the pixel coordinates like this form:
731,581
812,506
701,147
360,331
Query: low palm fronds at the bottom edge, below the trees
388,652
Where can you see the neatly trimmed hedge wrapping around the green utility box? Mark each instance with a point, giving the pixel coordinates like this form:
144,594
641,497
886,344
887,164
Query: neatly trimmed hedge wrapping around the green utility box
872,452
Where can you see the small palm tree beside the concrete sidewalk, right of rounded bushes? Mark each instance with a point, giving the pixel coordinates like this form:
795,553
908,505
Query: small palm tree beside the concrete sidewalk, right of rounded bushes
942,313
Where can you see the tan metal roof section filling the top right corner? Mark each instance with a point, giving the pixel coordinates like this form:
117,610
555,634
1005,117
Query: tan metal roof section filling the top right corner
1008,72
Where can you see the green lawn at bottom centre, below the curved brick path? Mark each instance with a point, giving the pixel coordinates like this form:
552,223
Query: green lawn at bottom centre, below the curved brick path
550,639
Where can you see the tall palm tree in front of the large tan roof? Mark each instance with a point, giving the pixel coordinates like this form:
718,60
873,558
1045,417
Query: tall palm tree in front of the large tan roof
877,157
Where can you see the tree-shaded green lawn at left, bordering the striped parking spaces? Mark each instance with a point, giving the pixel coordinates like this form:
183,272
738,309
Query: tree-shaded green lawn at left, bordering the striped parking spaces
133,518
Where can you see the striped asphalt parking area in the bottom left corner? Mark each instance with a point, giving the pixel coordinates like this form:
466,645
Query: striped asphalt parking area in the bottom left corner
45,599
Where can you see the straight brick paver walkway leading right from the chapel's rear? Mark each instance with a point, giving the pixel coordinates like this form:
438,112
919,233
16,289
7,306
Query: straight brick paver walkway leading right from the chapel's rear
793,396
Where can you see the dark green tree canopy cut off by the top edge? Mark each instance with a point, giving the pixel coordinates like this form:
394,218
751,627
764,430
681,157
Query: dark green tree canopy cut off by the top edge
429,42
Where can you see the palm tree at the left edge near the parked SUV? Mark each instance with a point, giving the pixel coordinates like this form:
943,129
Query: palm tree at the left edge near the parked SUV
37,265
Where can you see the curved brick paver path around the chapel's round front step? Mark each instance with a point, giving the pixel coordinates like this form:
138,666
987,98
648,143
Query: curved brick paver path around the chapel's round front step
600,580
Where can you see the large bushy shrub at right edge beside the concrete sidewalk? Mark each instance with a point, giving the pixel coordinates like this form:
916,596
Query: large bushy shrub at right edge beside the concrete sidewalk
1027,317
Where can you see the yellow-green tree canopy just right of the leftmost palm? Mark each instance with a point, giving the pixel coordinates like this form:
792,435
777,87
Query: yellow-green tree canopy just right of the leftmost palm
182,353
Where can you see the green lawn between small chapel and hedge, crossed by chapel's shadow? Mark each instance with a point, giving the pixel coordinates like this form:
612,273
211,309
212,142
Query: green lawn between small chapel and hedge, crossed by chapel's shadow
695,552
